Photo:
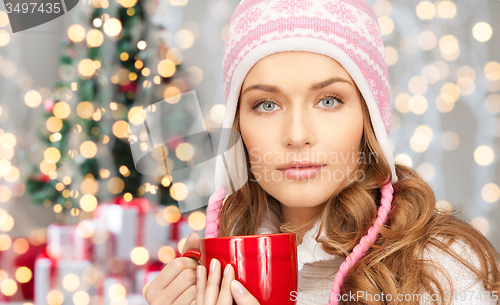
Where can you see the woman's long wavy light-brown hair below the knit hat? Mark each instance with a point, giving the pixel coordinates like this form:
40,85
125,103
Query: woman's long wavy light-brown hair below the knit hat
393,265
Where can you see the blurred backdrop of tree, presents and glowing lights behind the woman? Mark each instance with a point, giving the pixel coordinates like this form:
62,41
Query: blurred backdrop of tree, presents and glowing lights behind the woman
74,210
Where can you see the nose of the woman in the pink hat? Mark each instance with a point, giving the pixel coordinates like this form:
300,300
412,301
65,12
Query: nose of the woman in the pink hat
298,128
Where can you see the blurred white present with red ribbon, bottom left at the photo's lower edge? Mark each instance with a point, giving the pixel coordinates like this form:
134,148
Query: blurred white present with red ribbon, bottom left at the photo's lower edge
60,280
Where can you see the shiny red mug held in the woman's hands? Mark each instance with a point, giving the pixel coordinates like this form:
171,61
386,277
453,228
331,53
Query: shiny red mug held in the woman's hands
266,264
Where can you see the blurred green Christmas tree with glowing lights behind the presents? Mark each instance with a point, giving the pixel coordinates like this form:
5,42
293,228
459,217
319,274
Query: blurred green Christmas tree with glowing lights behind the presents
115,63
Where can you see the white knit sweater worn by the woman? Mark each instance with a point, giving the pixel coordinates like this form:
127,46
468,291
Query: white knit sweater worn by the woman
317,271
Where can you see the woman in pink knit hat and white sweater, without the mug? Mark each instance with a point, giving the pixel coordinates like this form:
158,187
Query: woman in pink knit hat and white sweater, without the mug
307,81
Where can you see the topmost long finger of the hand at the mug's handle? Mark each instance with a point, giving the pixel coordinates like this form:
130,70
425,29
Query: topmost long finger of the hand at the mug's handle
169,273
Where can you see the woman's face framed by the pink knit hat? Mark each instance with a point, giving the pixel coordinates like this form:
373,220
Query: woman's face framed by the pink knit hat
301,106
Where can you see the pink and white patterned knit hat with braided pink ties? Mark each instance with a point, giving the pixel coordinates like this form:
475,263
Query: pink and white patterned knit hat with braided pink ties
345,30
